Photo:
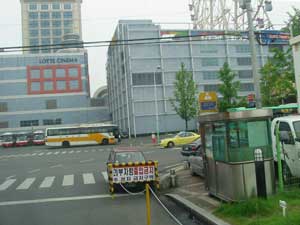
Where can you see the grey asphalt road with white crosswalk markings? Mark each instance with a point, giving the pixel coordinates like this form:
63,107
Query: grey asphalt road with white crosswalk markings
39,185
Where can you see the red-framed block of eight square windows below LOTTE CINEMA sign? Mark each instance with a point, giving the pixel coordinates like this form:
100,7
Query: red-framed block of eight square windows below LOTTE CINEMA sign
55,79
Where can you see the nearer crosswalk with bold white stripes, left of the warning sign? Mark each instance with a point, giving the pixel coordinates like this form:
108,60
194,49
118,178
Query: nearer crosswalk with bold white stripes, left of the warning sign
44,183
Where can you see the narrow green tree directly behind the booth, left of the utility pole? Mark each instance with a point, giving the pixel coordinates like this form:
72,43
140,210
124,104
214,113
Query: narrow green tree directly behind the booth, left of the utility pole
228,88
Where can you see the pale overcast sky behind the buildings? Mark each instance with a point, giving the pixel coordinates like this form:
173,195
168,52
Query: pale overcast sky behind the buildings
100,17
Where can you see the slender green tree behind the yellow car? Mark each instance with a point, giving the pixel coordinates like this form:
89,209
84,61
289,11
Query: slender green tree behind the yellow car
184,102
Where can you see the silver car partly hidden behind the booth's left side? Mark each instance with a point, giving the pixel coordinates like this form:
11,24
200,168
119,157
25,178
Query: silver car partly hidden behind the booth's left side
196,164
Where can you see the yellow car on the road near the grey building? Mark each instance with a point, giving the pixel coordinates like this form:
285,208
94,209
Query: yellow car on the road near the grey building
182,138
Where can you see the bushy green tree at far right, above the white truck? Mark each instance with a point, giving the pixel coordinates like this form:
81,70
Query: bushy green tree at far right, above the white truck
278,79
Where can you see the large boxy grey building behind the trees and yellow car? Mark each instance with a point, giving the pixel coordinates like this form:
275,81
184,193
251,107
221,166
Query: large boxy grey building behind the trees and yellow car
135,69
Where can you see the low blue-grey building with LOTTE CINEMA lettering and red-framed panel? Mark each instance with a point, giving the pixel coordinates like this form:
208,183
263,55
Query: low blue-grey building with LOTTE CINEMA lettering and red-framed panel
41,90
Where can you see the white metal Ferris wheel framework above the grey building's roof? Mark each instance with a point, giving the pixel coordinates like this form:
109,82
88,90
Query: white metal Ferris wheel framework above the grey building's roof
227,14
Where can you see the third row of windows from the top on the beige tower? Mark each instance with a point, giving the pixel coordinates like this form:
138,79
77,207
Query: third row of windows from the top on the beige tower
34,24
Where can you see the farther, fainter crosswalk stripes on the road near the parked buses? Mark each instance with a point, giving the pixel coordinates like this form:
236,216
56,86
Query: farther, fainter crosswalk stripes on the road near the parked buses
52,153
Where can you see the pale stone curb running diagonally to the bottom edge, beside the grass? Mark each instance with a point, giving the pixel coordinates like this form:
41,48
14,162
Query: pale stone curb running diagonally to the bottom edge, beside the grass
197,211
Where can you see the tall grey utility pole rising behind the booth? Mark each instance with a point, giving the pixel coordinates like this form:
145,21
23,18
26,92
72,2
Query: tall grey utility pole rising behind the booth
246,4
